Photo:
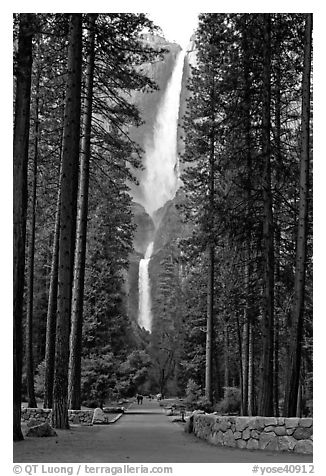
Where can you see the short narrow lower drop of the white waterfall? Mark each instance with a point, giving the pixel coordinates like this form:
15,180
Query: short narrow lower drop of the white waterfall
145,313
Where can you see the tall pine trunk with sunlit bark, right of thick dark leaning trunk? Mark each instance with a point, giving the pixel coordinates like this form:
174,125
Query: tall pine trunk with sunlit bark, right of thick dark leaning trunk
80,252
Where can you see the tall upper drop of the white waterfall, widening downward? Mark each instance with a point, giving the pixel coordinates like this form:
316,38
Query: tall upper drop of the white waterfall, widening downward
160,181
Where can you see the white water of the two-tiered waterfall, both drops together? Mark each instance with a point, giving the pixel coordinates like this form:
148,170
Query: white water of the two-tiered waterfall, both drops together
161,178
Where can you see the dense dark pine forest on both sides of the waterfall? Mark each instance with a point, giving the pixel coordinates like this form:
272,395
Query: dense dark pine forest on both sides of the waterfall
232,298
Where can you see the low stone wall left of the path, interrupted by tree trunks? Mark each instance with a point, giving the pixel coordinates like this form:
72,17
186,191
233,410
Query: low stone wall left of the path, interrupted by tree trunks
35,416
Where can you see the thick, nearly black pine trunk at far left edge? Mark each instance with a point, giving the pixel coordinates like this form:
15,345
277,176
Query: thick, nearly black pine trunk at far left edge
20,159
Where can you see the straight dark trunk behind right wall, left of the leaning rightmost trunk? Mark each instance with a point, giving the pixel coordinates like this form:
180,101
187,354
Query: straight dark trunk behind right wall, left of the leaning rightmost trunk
265,404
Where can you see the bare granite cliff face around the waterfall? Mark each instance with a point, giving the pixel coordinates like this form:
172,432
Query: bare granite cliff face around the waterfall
164,226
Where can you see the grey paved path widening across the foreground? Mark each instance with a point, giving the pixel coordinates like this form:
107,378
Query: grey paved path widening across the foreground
143,435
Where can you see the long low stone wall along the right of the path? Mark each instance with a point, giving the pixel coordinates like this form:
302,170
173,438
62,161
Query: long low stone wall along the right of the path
265,433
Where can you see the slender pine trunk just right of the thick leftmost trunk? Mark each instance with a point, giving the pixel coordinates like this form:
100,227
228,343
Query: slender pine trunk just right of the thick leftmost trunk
30,264
